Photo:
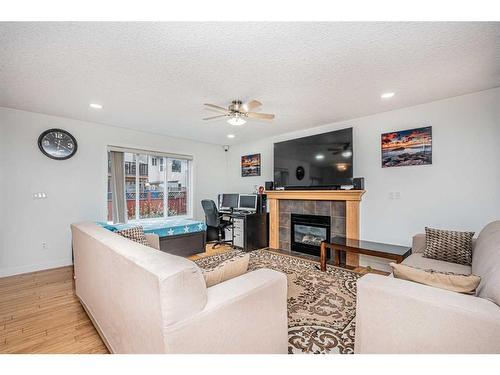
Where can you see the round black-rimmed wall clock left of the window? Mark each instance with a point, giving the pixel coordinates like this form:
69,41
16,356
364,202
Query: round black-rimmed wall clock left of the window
57,144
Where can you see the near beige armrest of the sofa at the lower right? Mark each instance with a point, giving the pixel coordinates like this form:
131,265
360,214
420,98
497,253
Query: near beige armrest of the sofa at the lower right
399,316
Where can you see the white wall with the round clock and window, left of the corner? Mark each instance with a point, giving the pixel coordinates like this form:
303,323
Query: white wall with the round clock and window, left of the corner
76,188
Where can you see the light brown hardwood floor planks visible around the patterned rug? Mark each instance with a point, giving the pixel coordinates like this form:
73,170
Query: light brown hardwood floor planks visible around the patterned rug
40,313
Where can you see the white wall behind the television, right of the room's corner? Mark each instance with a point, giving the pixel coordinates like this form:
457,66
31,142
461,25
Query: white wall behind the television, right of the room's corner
460,190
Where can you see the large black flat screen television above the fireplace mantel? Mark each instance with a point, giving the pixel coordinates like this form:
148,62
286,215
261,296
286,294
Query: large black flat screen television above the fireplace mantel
319,161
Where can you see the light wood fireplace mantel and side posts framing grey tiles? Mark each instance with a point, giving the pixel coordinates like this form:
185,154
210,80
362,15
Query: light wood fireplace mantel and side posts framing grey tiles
352,199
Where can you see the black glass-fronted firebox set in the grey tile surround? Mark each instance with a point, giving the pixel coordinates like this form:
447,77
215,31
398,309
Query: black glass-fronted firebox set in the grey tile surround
308,231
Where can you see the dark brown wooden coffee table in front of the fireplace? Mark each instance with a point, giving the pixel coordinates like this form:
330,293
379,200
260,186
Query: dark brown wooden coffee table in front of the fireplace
382,250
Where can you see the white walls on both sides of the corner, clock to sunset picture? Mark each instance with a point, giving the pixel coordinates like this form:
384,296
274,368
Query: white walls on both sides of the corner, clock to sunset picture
460,190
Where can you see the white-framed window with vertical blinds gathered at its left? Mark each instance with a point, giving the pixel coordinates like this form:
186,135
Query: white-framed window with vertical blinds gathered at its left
151,190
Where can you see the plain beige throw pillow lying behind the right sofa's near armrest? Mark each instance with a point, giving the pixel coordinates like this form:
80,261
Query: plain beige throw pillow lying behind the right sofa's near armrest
444,280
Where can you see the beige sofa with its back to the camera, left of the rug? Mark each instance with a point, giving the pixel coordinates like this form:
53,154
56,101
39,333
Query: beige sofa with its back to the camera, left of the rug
143,300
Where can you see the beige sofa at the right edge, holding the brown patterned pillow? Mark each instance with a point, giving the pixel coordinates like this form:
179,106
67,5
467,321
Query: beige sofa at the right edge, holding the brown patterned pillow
399,316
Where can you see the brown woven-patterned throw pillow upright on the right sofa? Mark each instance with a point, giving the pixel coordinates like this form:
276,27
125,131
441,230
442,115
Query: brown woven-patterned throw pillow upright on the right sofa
447,245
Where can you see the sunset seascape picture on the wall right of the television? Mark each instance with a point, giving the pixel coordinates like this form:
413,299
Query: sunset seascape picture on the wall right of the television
407,147
